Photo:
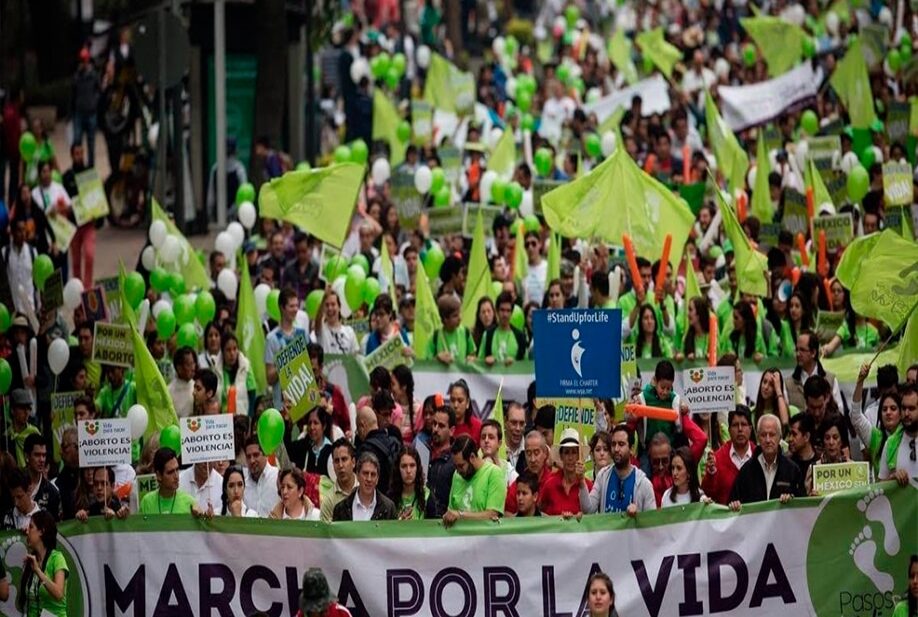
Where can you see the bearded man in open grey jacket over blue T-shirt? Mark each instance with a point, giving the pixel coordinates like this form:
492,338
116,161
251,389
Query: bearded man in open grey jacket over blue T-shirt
620,487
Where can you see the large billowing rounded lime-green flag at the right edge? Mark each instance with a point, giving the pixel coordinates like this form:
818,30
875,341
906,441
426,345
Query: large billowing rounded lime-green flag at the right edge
881,273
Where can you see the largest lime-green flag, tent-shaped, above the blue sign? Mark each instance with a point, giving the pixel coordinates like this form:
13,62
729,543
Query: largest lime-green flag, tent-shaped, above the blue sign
617,198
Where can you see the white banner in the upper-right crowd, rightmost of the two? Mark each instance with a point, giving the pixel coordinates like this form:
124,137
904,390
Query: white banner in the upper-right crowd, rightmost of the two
745,106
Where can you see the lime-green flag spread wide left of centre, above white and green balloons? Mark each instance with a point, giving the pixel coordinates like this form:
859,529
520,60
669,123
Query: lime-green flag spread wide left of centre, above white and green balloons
320,201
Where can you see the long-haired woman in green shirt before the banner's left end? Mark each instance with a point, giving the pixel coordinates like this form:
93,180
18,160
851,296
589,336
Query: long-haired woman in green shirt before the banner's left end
44,576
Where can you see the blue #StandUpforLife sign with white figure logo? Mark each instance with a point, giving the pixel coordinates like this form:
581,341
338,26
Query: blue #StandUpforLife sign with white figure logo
578,352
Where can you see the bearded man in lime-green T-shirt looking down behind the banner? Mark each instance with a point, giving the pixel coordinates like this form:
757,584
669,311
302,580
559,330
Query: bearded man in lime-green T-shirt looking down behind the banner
479,487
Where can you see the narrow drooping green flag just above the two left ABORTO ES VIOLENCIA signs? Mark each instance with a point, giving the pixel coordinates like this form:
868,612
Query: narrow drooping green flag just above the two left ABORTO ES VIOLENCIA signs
151,389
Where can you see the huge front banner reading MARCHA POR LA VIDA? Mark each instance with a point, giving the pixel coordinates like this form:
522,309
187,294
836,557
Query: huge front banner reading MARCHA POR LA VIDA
843,555
